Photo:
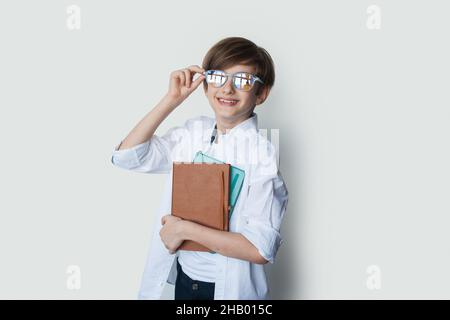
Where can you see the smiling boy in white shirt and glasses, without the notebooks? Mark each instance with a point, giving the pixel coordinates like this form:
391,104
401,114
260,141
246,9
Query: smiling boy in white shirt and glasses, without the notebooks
237,76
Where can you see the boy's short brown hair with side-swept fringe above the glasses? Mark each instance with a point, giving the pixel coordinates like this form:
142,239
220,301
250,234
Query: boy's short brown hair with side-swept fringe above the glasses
236,50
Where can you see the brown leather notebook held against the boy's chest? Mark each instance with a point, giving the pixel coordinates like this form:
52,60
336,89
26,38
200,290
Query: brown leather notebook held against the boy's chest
200,194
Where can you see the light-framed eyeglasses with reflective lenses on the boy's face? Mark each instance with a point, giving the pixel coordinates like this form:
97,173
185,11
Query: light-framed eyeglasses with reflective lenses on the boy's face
243,81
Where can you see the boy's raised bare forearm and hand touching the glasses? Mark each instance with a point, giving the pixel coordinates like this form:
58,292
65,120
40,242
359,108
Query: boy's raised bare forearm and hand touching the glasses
181,85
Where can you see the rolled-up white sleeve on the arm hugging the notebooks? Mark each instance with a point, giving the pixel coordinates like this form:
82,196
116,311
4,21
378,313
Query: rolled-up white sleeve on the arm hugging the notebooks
266,204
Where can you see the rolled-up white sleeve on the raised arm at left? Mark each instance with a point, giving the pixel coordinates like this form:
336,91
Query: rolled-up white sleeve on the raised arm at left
151,156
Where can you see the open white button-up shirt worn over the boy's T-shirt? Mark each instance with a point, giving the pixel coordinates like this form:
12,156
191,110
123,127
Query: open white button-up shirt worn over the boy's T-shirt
257,215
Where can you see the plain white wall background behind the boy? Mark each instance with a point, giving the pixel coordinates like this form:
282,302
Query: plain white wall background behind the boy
363,117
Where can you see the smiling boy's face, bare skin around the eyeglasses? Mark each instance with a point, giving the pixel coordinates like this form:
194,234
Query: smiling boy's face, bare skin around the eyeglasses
246,100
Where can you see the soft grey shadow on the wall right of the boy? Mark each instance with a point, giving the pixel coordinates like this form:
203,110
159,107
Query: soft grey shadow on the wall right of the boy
284,275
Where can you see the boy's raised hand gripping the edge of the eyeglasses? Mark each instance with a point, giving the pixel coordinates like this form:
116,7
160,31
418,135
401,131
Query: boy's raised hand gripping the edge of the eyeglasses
182,83
